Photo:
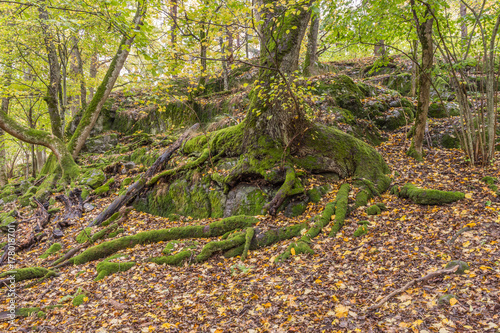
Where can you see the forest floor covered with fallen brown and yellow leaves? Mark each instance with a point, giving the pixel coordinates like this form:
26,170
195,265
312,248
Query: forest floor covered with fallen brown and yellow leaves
325,292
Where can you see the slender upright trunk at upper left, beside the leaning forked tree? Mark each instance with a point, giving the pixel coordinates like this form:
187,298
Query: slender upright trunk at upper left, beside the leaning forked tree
54,73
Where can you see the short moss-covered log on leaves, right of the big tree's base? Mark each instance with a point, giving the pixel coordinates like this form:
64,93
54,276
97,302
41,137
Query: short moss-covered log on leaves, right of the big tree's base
429,197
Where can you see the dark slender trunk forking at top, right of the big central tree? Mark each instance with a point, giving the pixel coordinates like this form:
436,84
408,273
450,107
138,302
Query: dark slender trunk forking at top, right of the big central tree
424,30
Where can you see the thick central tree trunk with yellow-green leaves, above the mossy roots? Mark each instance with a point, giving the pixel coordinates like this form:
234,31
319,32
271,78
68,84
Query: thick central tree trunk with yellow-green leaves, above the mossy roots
275,111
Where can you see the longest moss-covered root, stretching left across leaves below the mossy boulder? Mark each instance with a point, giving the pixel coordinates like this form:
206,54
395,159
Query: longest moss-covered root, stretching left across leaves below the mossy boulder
213,229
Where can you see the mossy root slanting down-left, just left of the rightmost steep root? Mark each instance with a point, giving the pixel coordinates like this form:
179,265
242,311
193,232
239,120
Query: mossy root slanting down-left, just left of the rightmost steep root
302,245
